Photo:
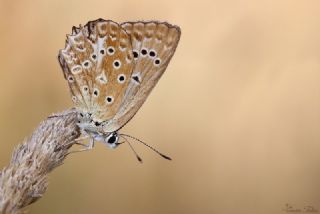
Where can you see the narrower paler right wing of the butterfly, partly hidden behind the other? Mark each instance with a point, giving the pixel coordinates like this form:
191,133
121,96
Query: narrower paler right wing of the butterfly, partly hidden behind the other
153,45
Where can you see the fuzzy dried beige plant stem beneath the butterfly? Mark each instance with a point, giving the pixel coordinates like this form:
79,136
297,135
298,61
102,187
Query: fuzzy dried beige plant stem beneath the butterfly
25,179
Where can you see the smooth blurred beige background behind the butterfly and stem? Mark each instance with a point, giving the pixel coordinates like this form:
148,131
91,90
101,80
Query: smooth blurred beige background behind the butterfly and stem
238,108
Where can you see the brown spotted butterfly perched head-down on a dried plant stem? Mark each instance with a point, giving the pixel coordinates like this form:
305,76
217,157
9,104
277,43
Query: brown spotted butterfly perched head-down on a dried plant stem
111,69
